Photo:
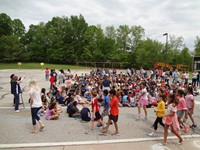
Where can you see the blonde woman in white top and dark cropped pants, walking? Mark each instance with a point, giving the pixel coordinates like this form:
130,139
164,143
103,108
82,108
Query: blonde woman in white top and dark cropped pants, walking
35,103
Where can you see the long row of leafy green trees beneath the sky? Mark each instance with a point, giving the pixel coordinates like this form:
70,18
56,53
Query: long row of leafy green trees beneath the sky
67,40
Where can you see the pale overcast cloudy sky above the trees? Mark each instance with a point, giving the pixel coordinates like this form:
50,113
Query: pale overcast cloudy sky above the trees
175,17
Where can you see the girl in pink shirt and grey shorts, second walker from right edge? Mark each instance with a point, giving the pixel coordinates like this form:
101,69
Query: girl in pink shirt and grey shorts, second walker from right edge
181,109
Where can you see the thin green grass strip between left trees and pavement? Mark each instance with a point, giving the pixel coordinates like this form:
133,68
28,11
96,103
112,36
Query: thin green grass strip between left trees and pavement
38,66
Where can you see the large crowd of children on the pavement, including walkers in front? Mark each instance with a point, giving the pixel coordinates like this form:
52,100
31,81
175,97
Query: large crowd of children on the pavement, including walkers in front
106,87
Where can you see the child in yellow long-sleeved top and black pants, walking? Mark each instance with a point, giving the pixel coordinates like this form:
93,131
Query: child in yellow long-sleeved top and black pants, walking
160,111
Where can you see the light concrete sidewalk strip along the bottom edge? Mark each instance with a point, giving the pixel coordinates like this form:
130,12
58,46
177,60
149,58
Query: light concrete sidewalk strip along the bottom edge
189,144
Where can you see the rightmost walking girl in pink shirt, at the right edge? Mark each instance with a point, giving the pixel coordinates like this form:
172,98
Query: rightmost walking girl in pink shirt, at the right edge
189,98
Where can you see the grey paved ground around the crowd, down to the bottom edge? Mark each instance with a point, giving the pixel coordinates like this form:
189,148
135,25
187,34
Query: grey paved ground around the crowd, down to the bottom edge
69,133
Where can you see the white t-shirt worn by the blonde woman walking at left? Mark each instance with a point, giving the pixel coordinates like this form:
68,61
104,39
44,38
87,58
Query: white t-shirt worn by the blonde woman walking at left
37,102
